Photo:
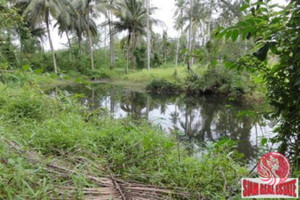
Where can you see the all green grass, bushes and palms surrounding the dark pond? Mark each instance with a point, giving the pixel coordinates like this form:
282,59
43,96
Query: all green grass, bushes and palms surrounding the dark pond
242,50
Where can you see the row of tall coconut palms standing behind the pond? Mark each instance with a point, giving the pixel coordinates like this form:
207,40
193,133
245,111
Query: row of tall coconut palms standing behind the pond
79,19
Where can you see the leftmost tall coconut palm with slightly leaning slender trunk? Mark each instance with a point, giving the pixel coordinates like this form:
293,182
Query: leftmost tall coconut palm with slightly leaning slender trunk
39,11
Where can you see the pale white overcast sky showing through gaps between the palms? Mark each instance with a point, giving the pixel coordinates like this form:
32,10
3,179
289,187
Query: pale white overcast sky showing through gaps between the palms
164,13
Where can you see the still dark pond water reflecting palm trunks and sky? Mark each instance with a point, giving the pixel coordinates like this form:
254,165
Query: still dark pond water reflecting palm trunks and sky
194,120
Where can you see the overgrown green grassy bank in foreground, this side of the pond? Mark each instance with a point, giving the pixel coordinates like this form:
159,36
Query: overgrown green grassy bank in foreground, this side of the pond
59,128
